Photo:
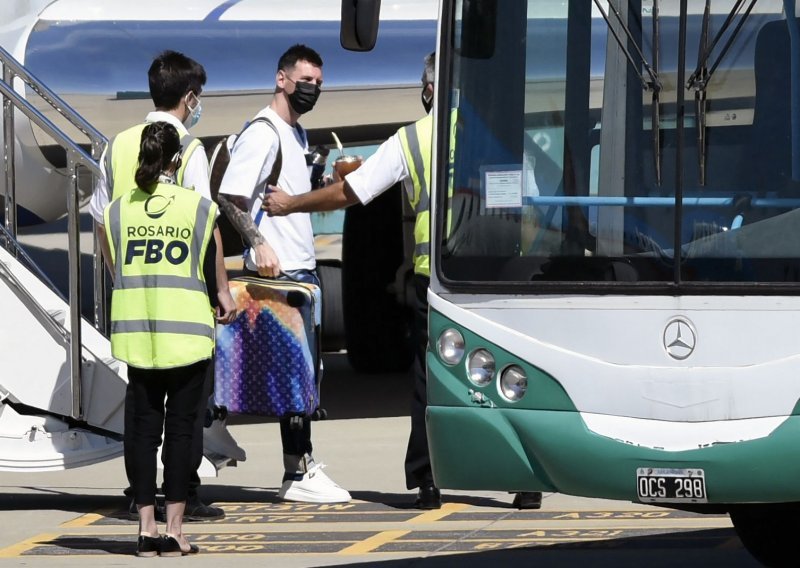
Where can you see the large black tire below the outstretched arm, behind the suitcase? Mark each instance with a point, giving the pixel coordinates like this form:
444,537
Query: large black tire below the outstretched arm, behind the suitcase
377,328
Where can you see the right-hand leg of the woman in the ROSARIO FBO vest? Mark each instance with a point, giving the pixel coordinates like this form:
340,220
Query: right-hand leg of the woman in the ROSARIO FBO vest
184,393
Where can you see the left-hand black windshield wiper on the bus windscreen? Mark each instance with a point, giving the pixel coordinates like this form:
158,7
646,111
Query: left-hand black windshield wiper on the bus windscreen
654,83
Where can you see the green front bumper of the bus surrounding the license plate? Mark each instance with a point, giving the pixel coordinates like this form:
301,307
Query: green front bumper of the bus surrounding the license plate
500,449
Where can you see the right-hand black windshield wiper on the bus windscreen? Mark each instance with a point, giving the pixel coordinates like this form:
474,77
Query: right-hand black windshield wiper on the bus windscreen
701,76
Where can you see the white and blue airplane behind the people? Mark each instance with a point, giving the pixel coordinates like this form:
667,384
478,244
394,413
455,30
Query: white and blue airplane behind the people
95,55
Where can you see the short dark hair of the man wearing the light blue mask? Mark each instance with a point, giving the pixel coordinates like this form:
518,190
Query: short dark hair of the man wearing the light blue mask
172,75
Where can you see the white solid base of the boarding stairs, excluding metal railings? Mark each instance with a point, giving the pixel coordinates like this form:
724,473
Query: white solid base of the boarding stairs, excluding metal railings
37,432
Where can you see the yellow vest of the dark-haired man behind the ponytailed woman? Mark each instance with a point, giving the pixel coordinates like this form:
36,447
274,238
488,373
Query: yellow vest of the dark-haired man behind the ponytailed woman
122,159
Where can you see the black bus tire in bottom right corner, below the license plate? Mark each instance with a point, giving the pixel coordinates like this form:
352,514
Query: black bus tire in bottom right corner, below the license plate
769,532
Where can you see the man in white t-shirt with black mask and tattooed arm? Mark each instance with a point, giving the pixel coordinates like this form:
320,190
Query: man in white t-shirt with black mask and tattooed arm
285,245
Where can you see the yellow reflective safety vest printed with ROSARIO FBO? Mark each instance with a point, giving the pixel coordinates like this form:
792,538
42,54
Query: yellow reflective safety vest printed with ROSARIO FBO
161,316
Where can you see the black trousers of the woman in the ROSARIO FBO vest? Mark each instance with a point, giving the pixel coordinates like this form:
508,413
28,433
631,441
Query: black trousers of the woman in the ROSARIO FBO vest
163,401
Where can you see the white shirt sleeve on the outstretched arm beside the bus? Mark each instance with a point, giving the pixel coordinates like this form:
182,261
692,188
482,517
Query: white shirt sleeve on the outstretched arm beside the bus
381,171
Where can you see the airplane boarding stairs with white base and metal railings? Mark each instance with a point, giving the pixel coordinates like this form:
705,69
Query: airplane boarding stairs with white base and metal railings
61,392
